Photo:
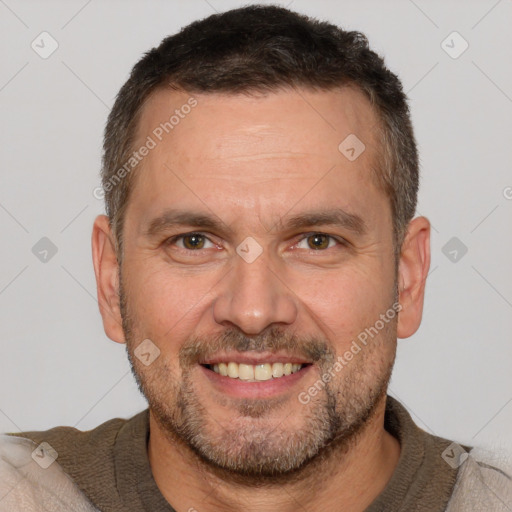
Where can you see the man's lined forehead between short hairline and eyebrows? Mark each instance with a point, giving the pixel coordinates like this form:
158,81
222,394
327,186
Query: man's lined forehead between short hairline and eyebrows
259,151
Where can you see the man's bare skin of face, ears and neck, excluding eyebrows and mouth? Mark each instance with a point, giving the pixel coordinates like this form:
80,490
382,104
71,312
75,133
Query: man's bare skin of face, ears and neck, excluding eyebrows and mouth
252,163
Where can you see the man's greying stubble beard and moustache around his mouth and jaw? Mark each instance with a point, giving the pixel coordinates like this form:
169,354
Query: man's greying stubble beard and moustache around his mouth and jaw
249,448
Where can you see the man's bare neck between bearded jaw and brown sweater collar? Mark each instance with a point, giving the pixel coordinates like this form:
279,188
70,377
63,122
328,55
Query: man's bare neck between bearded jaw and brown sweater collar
352,475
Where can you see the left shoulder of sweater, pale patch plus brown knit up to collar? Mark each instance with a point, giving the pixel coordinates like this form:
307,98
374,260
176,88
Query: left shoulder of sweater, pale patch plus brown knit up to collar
60,469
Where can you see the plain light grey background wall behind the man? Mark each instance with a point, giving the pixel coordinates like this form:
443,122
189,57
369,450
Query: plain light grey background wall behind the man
57,367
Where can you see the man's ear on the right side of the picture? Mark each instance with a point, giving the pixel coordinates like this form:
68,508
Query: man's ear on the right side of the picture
412,274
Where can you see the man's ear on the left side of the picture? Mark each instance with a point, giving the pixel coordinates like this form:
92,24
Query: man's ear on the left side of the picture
106,269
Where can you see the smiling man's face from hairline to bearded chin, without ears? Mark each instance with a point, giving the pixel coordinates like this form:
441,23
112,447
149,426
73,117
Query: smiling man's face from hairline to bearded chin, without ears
274,276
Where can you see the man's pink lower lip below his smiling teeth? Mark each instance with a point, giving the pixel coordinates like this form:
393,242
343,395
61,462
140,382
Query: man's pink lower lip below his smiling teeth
259,389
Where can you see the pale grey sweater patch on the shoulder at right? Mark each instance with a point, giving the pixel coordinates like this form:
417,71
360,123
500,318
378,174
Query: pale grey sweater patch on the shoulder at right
484,482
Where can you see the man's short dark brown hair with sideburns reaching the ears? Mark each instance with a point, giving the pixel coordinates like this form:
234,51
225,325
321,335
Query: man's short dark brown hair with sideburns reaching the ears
262,49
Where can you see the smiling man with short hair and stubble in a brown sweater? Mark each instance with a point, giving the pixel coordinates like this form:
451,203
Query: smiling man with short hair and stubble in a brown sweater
259,258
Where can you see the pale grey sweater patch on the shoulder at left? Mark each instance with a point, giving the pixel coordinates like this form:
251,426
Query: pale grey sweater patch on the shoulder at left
32,481
